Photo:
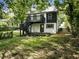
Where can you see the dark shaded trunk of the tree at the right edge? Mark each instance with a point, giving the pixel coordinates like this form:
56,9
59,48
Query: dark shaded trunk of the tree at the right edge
73,9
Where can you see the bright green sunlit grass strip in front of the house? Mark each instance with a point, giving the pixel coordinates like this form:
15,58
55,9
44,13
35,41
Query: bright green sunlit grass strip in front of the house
24,41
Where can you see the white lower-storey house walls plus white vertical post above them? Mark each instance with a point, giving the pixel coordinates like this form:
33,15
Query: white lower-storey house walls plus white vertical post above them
36,27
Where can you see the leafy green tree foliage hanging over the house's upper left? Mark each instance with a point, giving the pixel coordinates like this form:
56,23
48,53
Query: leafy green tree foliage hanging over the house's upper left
21,7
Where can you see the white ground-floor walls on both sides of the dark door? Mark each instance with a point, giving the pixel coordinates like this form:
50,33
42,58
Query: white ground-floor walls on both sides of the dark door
36,28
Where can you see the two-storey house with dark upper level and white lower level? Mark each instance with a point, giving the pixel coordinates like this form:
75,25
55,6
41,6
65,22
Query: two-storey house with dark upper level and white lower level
43,22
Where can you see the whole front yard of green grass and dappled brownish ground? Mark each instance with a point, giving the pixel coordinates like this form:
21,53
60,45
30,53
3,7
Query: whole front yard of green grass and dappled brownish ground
39,47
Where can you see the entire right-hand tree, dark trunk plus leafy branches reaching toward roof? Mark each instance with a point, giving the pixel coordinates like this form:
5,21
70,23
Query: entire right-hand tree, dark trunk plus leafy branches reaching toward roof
71,9
